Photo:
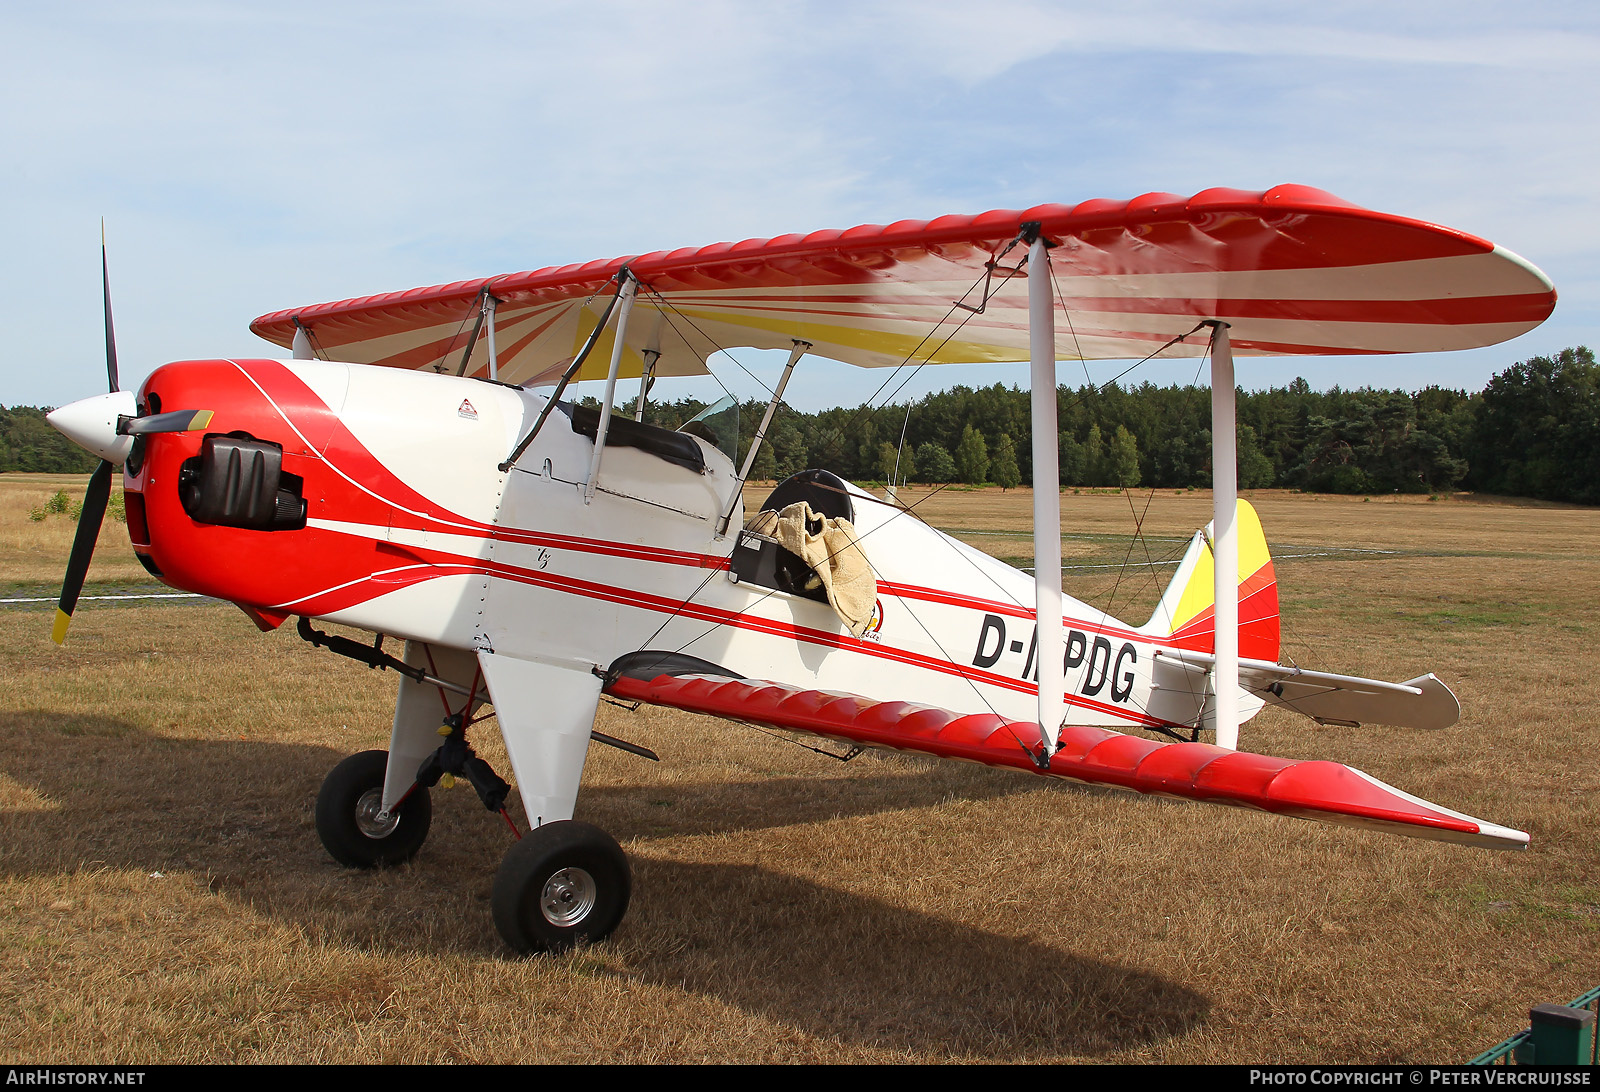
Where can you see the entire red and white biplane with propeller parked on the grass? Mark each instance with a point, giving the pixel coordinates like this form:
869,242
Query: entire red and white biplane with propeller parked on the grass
430,486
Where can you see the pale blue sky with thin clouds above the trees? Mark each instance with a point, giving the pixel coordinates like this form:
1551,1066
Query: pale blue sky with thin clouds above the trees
258,156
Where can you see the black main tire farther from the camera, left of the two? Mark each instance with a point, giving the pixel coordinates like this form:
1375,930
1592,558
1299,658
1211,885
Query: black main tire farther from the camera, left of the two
345,805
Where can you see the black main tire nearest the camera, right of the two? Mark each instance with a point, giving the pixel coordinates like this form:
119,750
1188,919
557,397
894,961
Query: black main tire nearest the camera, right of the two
564,885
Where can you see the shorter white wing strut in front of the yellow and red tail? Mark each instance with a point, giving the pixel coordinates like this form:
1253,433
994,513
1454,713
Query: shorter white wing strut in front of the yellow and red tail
1225,539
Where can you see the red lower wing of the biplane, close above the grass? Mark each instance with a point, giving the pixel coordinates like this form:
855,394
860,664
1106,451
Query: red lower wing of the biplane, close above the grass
1326,792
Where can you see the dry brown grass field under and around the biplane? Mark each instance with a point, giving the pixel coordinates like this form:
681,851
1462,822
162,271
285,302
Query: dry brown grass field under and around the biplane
166,896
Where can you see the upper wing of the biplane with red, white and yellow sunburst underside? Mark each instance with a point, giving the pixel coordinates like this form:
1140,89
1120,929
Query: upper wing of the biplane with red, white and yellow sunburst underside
1292,270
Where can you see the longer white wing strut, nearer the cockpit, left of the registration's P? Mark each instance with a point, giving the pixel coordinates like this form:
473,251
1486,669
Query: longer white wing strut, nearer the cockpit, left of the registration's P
1047,491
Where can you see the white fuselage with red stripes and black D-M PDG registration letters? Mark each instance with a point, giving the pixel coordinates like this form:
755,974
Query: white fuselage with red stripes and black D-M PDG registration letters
641,566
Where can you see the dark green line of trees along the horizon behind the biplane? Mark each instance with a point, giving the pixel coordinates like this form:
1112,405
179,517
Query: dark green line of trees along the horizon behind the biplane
1534,432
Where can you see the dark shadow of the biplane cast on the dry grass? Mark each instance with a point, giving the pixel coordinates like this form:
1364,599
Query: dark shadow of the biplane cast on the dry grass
239,817
